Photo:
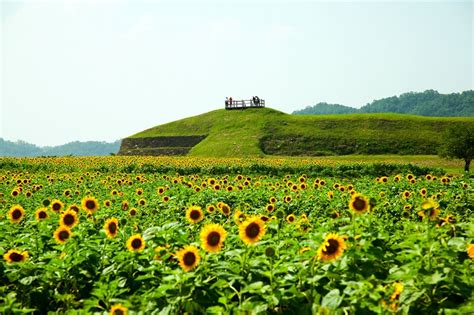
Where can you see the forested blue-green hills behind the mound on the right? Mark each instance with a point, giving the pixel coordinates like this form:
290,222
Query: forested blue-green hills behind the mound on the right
427,103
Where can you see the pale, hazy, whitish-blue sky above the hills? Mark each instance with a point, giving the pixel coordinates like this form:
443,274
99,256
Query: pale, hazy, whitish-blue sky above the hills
106,69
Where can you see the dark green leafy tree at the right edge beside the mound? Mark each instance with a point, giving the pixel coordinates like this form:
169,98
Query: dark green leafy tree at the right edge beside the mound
459,144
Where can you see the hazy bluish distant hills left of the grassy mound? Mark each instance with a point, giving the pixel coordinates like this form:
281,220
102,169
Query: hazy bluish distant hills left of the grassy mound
76,148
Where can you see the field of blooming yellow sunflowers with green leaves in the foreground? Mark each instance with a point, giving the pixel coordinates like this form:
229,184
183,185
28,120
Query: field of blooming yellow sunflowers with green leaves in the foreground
134,235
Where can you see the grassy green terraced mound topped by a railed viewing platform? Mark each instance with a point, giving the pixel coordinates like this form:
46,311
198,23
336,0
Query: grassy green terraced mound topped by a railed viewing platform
264,131
